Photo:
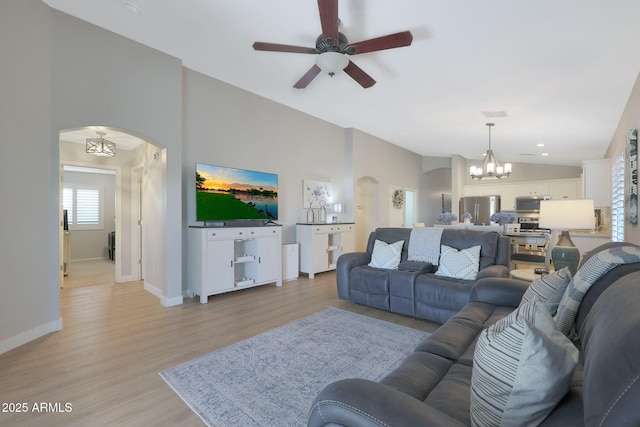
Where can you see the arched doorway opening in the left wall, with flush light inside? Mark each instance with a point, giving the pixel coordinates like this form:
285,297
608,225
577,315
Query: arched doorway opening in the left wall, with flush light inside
101,242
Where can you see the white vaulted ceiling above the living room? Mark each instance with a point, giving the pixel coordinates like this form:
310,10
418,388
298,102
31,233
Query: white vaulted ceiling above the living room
552,72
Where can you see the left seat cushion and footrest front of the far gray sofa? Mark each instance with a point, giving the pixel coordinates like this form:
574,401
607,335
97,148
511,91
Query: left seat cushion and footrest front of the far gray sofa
370,286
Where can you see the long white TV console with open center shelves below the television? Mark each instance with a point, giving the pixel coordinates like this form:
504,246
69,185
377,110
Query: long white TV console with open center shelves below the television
226,259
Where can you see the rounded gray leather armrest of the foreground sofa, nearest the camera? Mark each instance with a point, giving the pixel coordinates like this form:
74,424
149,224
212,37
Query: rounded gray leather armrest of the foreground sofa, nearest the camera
359,402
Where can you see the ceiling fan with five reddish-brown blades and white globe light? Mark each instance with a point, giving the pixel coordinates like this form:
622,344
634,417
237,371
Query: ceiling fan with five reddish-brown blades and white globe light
332,48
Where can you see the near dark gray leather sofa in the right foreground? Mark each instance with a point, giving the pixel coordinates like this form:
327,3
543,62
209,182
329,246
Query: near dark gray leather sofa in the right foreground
432,387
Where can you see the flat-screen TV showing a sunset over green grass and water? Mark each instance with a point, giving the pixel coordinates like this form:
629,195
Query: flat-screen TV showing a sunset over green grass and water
229,194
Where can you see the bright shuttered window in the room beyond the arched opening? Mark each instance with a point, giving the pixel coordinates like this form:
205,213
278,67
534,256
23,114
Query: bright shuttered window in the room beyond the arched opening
84,207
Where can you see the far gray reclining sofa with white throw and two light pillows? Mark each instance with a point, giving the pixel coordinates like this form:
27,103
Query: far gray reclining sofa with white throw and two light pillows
413,288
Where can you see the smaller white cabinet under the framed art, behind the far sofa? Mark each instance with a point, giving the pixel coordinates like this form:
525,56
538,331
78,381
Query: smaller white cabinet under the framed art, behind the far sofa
322,244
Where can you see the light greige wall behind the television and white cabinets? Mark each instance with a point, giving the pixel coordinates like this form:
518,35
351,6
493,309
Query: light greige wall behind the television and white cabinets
228,126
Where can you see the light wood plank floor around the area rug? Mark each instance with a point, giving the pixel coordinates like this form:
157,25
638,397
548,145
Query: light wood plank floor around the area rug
117,338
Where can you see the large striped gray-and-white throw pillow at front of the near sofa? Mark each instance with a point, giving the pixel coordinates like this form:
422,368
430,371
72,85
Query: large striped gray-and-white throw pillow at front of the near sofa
522,367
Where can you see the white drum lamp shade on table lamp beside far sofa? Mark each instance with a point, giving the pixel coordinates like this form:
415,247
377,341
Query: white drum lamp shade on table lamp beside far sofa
567,214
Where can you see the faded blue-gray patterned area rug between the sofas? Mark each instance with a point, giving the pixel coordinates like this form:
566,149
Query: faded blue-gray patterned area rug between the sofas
272,379
